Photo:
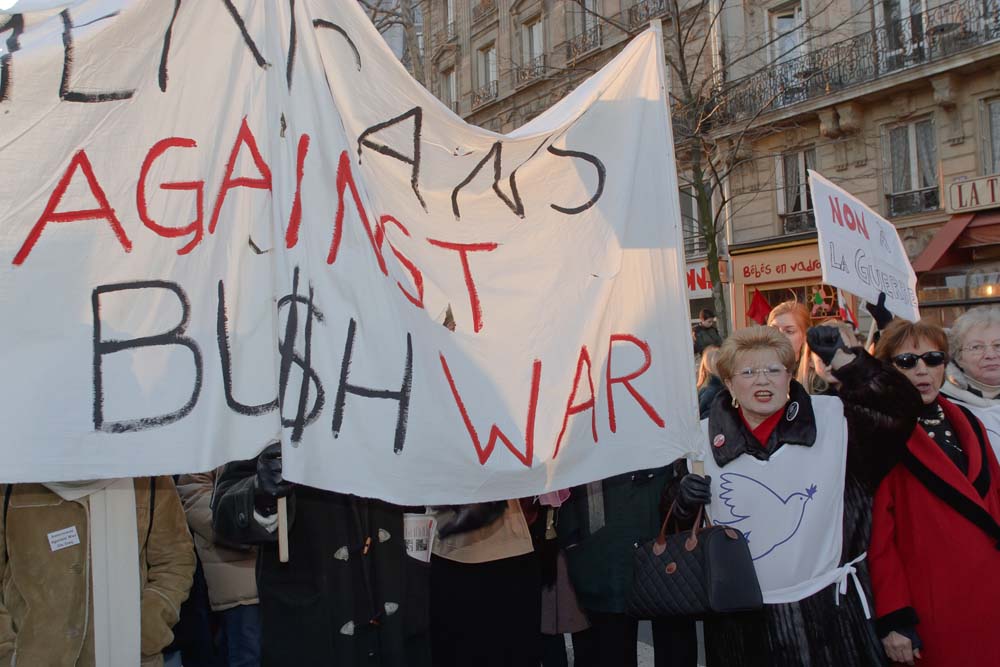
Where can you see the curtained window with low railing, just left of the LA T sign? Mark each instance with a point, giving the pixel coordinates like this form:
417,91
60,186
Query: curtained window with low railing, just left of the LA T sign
912,182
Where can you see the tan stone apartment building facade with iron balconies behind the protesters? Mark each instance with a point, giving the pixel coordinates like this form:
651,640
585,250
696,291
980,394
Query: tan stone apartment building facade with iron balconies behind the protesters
897,101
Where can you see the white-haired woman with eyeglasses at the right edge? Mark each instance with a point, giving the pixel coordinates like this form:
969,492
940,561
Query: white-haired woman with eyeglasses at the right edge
973,374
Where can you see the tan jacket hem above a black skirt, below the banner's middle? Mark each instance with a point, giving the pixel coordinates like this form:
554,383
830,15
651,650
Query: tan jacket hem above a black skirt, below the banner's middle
504,538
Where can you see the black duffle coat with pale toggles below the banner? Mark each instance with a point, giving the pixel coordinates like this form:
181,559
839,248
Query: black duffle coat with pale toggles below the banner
337,602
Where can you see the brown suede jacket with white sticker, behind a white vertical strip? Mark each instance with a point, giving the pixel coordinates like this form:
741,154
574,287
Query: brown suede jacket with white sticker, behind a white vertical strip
45,596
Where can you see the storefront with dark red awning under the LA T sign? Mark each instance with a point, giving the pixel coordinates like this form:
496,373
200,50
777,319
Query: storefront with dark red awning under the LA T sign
960,267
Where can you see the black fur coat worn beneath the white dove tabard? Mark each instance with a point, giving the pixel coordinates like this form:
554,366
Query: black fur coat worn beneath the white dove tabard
881,408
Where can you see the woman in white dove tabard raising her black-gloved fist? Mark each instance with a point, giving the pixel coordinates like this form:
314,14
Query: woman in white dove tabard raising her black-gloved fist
795,473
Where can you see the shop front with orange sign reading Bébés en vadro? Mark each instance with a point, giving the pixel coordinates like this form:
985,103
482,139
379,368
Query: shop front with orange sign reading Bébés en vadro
788,270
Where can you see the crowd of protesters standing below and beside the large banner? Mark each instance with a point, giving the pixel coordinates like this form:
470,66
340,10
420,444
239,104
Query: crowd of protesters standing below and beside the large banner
891,450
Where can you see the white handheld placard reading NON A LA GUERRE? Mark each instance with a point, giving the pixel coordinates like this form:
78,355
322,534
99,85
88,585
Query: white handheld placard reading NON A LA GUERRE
860,251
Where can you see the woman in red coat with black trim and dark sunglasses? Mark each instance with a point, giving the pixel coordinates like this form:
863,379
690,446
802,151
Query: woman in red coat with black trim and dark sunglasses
935,545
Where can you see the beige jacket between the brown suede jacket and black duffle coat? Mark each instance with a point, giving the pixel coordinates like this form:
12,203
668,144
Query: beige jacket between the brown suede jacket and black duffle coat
229,569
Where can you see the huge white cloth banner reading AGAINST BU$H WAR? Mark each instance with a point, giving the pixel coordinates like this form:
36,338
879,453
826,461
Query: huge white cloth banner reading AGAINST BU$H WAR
229,223
